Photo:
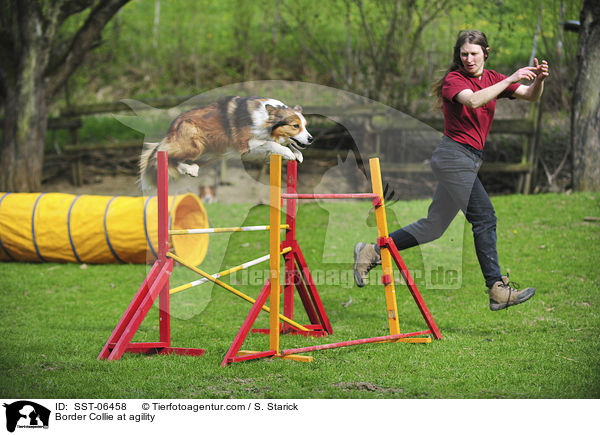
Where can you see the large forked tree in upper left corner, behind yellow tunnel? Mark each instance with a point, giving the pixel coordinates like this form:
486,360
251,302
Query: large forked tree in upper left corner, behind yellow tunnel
38,56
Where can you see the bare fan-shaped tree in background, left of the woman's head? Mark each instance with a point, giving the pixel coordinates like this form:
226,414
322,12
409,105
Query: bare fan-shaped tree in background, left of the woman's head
377,57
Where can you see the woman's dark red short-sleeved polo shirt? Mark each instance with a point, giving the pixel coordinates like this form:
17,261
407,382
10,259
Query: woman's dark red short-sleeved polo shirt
461,123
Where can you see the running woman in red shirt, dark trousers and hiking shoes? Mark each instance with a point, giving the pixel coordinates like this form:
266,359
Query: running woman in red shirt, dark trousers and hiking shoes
468,93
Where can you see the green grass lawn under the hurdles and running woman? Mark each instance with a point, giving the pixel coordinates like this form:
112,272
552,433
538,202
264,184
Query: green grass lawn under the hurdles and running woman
57,317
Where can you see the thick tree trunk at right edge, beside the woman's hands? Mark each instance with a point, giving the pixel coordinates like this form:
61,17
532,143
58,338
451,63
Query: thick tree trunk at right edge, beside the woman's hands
585,120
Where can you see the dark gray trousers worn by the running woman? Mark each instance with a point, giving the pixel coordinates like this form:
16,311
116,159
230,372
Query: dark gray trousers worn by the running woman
455,168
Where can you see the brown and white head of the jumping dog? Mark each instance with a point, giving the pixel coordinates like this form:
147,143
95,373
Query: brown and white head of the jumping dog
288,126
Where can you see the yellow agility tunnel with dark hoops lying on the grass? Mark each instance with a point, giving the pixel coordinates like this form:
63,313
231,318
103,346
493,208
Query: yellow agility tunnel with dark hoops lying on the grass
61,227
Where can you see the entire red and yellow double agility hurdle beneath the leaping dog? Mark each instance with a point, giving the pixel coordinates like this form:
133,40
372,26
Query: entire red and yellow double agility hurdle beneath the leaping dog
297,277
